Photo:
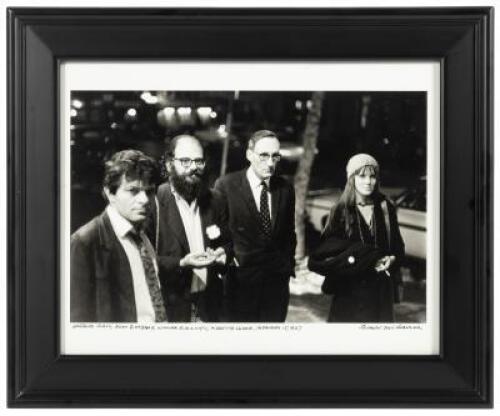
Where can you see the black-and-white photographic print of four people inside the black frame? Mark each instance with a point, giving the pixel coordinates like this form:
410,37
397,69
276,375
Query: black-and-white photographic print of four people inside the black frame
248,208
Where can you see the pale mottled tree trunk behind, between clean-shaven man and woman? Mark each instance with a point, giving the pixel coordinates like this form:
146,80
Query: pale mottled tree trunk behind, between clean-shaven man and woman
302,176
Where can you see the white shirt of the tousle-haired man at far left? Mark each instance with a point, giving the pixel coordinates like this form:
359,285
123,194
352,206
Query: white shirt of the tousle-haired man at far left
122,227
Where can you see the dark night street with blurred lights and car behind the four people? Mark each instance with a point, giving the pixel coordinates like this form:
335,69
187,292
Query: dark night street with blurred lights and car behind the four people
391,126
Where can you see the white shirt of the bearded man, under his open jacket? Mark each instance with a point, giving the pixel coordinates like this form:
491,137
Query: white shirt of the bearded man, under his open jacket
190,215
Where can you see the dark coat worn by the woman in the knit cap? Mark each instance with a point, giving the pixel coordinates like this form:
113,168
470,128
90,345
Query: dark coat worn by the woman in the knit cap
360,294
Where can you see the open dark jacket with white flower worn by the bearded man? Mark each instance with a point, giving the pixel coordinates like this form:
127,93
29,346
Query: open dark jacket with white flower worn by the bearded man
172,244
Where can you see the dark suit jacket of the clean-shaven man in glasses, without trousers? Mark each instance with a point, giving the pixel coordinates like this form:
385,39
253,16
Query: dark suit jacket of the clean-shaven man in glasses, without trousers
251,248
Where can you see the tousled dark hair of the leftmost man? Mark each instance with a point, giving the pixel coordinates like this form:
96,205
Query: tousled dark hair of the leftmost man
133,164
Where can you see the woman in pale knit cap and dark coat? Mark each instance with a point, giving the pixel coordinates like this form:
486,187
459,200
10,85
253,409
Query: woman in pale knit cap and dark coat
363,273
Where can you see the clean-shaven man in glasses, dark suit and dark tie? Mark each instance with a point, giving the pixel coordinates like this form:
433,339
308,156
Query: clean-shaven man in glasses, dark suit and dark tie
259,211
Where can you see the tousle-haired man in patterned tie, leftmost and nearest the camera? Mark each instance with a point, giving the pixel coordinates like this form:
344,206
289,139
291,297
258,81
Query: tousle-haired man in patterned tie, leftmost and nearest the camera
114,274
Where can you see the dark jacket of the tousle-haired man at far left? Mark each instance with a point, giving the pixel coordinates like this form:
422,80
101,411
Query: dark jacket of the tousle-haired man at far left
102,289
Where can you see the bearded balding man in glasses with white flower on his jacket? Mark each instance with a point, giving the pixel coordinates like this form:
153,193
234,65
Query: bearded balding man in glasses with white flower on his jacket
192,246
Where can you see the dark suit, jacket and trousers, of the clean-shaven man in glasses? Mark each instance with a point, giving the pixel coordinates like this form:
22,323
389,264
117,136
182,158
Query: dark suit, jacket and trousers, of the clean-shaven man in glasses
258,288
